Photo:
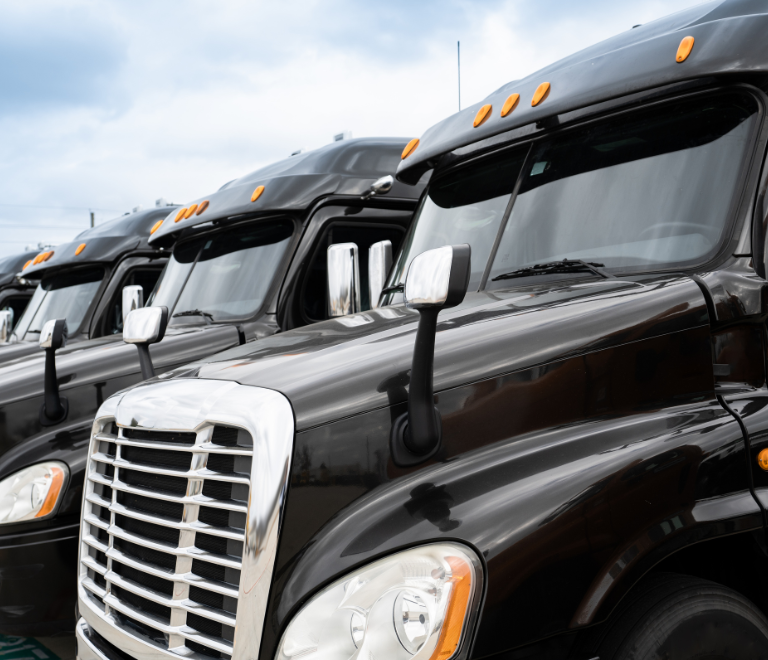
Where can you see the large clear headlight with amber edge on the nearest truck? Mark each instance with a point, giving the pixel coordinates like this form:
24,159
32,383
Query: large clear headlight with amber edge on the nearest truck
413,604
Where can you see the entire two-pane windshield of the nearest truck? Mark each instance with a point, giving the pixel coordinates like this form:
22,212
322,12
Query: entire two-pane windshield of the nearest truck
646,190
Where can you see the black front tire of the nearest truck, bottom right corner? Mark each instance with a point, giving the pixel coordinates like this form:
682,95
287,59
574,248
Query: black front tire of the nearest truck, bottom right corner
677,617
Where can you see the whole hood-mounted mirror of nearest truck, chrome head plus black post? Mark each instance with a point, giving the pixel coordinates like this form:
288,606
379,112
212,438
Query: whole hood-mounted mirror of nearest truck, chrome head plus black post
436,280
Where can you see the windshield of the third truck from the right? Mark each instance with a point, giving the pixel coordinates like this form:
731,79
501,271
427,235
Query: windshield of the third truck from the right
61,296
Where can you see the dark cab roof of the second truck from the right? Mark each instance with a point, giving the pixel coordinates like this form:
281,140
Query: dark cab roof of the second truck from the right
347,167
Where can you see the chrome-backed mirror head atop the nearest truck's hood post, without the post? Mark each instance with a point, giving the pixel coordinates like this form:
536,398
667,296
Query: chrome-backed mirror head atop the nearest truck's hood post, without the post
438,279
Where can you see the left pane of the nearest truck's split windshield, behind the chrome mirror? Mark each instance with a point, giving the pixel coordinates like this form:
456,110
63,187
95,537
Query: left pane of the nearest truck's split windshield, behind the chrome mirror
466,206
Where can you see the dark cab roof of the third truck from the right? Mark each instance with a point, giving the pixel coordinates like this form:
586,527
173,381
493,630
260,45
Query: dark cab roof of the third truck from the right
103,243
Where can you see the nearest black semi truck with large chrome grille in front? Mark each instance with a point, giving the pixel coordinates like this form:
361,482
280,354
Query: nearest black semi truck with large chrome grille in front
554,446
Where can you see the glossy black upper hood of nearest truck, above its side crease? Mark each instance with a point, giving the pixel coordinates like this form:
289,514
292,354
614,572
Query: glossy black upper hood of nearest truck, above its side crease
346,366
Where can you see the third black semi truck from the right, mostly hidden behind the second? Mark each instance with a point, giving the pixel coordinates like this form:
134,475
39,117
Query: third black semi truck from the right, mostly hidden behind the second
82,281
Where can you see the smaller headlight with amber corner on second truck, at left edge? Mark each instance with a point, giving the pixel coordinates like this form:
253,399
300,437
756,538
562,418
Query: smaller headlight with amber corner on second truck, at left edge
32,492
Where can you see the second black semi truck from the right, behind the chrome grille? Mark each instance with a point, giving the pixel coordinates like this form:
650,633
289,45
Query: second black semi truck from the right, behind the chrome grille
242,266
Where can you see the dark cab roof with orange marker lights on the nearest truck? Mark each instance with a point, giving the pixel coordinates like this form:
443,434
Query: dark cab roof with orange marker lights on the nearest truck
729,37
